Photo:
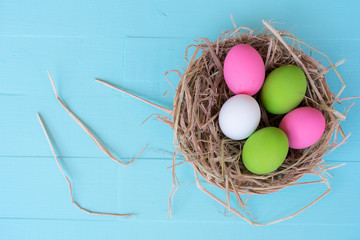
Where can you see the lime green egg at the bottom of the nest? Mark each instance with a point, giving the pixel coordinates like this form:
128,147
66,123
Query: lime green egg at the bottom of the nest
265,150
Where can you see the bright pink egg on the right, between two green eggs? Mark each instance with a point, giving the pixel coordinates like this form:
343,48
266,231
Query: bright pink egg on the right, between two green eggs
303,126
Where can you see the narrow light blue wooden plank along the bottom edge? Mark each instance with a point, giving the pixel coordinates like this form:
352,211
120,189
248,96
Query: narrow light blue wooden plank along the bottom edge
74,230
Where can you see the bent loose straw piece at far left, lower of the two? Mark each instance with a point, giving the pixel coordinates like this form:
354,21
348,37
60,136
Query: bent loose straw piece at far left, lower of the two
69,182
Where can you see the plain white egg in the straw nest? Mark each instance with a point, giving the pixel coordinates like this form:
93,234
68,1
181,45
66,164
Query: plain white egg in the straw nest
239,116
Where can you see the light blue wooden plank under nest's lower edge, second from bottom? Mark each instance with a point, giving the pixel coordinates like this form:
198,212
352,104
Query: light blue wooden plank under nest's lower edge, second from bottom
34,188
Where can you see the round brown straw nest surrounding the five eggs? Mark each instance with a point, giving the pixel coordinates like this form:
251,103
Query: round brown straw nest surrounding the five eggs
201,93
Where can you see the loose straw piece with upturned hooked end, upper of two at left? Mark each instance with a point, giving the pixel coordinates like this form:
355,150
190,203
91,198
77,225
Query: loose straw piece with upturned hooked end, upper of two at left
87,130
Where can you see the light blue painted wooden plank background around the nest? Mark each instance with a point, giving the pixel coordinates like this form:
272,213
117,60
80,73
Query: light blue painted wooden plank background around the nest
132,44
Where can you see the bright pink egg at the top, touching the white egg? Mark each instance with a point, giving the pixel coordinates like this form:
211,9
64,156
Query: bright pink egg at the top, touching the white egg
244,70
